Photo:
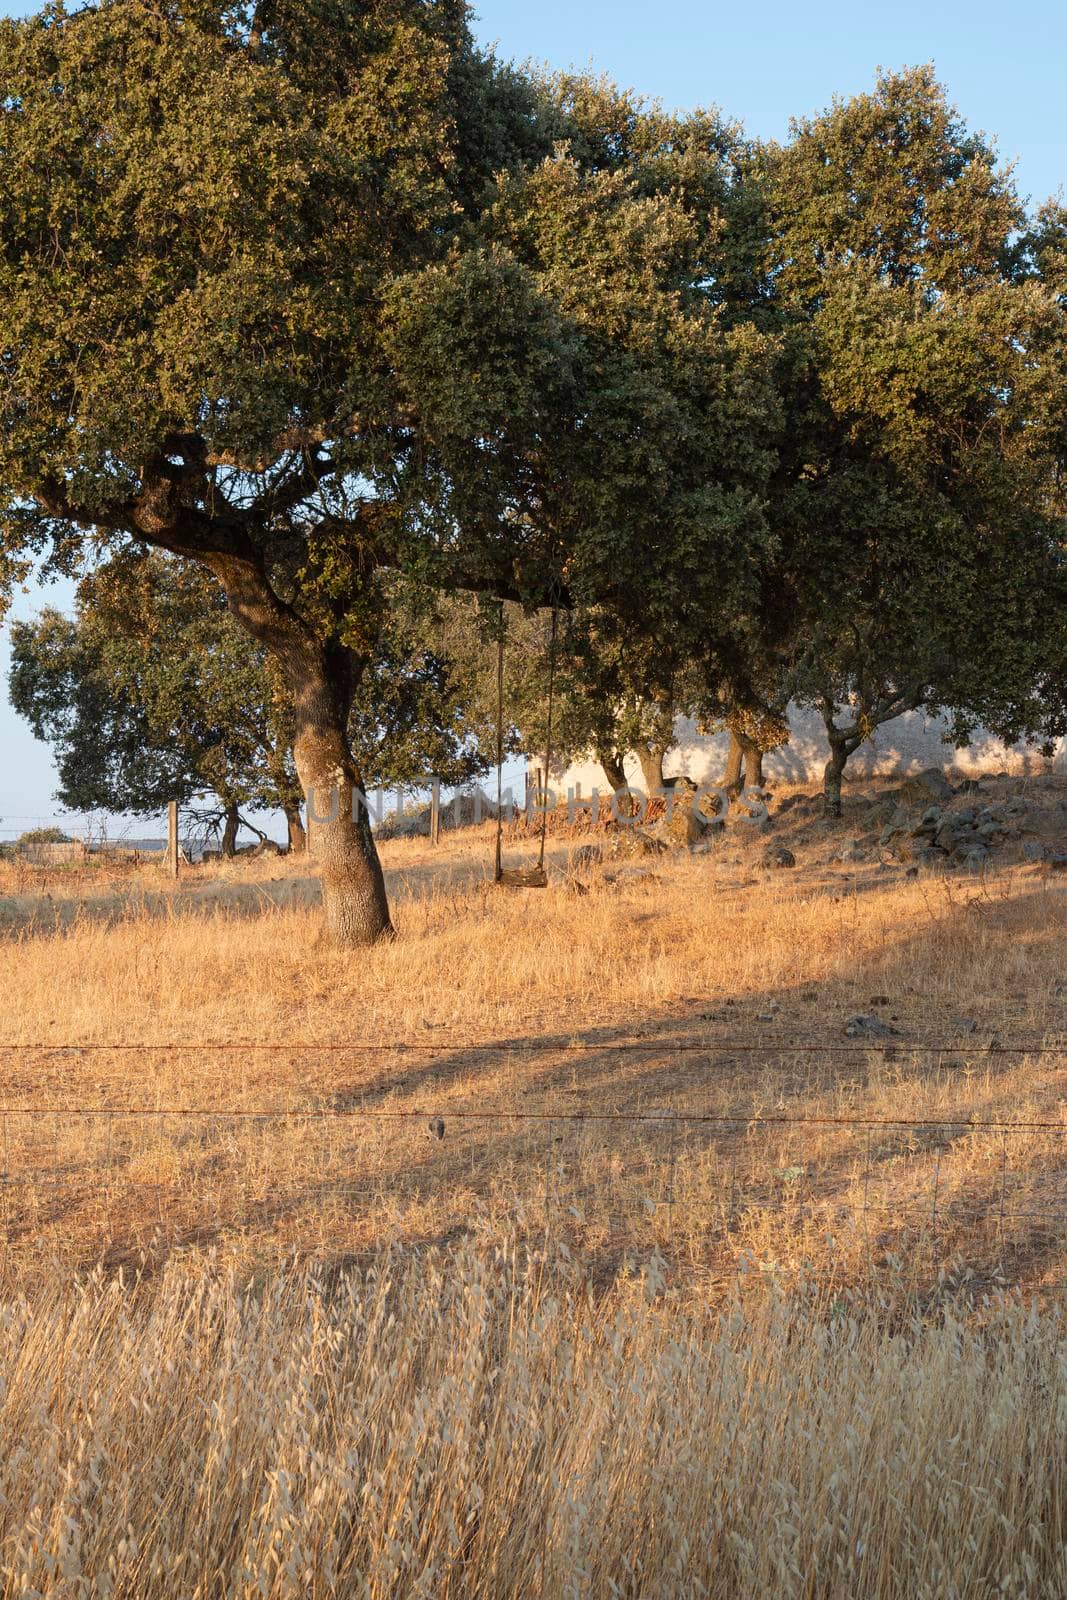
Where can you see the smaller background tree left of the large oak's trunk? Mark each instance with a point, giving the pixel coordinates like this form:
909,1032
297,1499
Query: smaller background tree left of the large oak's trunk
151,694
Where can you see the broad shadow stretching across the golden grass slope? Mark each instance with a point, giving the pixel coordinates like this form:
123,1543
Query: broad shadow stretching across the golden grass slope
698,1130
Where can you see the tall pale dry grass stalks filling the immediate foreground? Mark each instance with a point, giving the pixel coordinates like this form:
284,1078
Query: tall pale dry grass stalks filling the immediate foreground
468,1426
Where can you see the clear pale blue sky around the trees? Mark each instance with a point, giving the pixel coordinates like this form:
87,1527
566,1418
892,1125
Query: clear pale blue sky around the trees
1002,65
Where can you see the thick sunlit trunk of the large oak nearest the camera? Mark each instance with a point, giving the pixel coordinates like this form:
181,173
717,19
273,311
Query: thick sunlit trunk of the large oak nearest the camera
338,825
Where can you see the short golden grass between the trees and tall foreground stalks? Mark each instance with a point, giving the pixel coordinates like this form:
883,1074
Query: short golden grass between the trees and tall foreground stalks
495,1004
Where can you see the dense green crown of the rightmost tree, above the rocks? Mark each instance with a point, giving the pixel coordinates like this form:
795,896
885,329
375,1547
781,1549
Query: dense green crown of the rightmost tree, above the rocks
922,510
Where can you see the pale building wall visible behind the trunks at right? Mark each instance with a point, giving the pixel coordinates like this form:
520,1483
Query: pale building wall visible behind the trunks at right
908,745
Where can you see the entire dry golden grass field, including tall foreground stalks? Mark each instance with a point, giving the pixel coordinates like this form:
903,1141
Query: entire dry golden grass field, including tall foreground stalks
693,1295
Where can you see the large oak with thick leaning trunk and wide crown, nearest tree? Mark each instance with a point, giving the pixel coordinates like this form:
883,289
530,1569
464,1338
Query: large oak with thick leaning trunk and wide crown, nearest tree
314,295
